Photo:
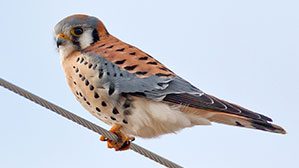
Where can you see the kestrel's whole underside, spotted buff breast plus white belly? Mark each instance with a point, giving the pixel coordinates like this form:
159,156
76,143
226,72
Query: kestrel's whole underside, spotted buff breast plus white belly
139,116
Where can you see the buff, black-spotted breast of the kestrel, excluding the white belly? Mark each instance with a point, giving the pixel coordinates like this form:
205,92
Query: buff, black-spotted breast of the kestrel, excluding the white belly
87,78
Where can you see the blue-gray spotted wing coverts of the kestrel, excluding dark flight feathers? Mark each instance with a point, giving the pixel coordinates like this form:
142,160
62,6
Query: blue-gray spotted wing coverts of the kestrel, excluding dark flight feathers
153,87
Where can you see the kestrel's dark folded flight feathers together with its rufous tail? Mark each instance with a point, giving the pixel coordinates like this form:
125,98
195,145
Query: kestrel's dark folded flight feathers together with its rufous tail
220,111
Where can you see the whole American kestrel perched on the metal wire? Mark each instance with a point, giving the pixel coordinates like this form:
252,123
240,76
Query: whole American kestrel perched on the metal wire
136,94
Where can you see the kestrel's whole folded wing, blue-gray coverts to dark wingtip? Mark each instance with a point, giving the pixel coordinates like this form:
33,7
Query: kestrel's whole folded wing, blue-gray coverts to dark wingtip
169,89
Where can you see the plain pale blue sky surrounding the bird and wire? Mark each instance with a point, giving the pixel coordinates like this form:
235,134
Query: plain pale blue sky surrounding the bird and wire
244,52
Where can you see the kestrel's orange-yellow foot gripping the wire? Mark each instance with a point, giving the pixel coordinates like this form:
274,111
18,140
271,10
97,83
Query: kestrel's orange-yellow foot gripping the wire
123,142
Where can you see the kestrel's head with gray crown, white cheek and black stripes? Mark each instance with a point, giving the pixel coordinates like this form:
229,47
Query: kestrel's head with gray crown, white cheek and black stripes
76,32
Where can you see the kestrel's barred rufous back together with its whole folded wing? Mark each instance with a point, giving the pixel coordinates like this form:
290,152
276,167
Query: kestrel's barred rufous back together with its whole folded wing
154,85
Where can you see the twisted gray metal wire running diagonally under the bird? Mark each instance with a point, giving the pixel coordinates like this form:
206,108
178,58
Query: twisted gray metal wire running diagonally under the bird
85,123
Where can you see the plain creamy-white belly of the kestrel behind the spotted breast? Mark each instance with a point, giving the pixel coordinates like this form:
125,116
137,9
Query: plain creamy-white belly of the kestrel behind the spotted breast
151,119
